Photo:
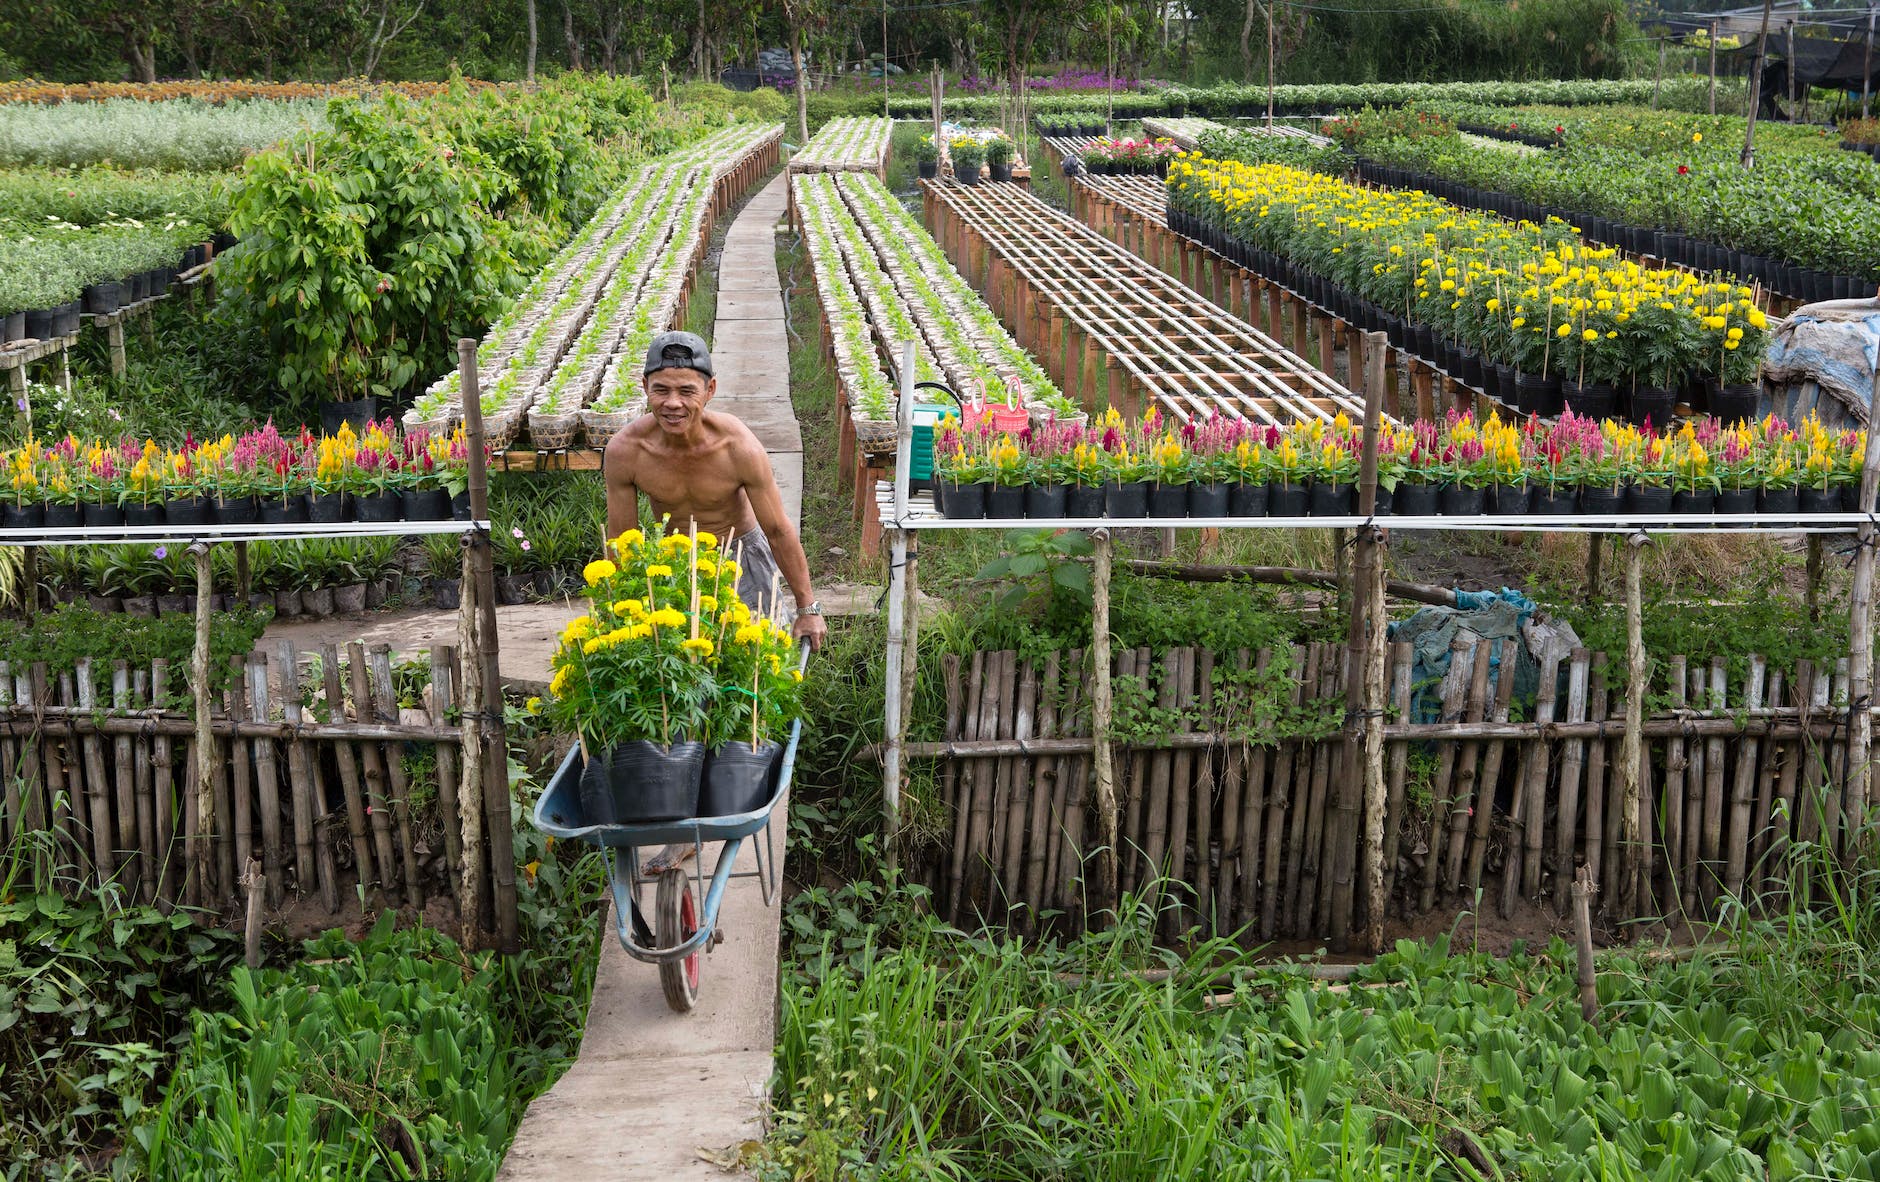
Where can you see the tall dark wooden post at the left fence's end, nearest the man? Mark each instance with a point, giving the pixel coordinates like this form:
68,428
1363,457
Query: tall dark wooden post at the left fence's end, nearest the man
493,771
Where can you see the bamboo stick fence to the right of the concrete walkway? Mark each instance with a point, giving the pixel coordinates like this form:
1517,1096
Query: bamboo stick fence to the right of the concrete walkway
1245,832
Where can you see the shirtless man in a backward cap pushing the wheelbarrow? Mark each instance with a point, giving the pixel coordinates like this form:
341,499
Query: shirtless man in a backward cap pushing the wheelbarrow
702,467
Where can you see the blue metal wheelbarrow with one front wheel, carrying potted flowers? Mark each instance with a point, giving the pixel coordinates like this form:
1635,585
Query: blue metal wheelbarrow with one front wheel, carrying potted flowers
685,907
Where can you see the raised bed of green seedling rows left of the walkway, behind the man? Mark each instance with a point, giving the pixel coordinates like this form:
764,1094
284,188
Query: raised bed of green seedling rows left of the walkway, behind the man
554,362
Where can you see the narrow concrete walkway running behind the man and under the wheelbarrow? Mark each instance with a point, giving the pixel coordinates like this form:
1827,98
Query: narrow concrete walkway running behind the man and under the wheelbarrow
655,1091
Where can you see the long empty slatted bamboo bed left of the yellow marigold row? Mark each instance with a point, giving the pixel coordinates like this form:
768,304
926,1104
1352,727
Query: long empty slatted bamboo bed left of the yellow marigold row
1112,326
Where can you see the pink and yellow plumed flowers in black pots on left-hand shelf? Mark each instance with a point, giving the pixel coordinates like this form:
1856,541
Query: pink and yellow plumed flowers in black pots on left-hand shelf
257,478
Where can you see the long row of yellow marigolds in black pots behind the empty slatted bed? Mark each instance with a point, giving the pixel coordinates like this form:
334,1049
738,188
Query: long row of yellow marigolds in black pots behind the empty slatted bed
1526,311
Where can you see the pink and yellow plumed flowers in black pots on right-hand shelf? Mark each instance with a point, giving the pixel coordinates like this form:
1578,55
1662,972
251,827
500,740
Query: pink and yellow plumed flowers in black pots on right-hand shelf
1452,467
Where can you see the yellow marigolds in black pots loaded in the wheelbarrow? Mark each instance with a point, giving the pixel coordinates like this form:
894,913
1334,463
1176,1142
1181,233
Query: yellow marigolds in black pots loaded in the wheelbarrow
680,691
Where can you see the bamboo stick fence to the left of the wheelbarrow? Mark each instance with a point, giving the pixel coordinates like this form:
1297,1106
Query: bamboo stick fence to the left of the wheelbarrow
309,786
